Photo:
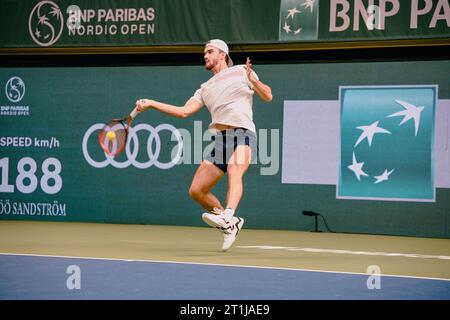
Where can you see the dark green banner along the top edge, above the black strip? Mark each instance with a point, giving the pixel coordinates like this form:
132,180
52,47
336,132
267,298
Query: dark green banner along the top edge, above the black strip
107,23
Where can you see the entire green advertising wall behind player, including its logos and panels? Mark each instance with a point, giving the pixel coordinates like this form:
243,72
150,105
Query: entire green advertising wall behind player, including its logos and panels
53,168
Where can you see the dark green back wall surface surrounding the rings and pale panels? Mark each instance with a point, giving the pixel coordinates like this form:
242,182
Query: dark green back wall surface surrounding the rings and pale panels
43,132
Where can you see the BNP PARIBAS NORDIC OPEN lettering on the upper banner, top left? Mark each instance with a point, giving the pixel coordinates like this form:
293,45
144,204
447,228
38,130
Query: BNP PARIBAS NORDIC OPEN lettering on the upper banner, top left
132,21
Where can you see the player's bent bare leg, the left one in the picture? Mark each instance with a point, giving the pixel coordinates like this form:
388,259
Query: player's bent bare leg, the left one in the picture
205,178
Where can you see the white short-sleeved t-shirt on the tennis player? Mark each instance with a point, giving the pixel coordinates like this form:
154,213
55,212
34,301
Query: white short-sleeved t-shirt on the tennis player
228,95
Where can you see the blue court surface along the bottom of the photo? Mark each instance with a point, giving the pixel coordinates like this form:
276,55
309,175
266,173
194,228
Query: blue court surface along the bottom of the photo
46,277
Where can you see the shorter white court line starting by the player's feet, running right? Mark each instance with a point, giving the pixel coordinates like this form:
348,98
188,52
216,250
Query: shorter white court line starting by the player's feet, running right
338,251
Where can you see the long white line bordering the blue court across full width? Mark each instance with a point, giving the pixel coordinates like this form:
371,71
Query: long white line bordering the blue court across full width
217,264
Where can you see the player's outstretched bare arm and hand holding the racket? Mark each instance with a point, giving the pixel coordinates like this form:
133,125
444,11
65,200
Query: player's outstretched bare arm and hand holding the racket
189,108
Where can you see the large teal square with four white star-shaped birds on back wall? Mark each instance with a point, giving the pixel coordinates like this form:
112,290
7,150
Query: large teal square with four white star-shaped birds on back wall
387,143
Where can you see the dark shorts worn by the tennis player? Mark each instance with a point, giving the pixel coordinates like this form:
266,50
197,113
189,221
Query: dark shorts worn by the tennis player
225,142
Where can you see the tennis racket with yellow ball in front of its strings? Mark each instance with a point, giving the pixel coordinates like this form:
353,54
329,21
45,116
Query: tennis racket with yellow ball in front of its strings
114,135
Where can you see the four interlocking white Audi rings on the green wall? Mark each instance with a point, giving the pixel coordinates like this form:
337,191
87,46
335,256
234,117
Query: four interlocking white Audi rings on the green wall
131,155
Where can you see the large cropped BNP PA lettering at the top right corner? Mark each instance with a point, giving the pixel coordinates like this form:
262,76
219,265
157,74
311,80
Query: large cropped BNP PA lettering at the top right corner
356,14
